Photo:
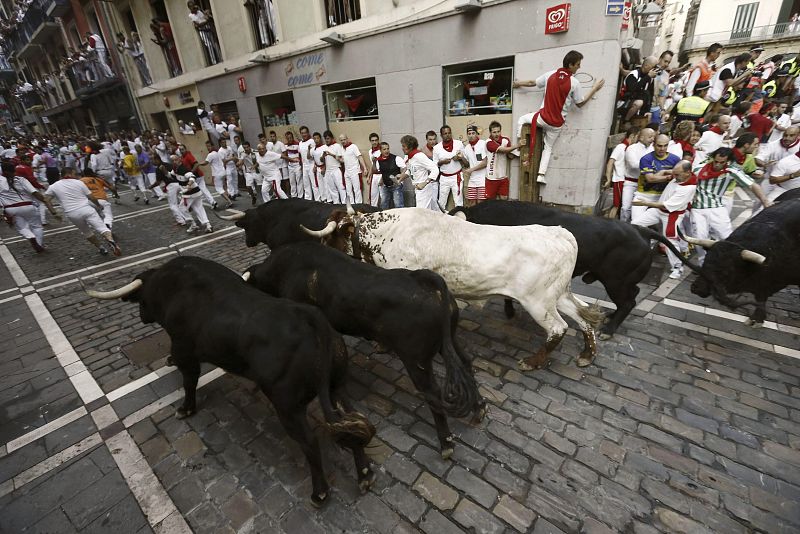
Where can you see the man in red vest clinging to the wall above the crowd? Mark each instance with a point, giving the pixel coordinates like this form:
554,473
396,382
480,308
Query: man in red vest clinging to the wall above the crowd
561,90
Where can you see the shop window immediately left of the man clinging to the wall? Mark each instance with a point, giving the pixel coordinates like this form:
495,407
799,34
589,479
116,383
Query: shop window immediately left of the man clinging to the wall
479,88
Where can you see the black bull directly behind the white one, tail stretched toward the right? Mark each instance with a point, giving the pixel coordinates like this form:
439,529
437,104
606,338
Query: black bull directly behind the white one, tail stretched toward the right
615,253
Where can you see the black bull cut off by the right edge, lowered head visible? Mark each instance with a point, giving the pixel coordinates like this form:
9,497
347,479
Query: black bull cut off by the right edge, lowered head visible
760,257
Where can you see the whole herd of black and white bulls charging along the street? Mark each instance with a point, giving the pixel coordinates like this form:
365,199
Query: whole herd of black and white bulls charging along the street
393,277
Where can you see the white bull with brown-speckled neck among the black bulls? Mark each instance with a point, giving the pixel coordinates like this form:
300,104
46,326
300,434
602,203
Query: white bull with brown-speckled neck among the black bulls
532,264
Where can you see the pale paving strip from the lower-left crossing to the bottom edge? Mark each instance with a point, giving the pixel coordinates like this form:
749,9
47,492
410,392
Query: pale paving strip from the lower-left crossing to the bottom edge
145,486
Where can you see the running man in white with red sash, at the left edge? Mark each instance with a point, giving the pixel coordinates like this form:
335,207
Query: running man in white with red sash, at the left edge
16,198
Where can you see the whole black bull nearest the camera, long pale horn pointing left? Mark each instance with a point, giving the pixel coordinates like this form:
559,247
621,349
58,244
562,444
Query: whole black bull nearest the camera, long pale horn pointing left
298,357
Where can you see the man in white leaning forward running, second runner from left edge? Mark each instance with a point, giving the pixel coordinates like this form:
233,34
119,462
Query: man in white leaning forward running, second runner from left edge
81,209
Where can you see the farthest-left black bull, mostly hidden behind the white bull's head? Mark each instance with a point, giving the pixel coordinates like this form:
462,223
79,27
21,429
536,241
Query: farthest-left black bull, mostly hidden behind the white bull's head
278,222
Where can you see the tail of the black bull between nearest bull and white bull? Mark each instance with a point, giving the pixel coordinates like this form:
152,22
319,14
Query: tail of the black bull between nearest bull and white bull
460,396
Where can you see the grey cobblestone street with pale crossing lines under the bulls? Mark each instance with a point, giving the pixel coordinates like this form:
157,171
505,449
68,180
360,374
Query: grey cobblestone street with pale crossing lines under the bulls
688,421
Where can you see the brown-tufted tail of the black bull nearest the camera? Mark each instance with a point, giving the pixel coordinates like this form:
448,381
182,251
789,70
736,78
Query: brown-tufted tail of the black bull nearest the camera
348,428
